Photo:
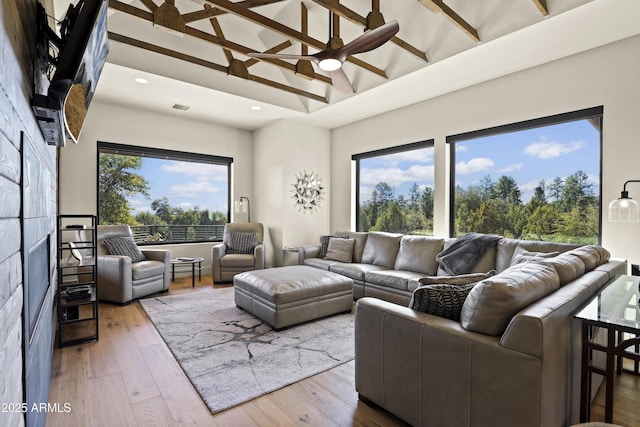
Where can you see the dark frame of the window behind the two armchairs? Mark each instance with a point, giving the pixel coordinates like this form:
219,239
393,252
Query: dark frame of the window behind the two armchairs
161,153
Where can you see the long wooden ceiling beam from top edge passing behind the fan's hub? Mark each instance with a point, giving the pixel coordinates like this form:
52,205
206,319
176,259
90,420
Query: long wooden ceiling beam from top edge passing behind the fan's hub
286,31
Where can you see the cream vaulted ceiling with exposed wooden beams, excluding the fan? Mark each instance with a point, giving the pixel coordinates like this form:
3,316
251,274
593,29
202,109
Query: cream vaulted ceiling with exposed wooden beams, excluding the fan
195,53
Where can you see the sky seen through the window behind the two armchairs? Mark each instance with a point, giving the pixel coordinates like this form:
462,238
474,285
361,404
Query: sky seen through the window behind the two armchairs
185,184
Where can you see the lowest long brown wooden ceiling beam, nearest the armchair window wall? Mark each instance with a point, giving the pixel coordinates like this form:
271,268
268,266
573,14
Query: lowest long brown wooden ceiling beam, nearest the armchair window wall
208,64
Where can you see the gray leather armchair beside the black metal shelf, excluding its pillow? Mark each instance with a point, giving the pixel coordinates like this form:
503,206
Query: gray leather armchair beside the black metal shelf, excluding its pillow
120,280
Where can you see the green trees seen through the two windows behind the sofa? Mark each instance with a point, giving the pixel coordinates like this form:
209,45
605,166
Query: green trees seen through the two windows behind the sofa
562,211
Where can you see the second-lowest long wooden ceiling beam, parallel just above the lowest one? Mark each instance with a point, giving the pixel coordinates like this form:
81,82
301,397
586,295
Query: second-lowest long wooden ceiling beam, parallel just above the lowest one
207,37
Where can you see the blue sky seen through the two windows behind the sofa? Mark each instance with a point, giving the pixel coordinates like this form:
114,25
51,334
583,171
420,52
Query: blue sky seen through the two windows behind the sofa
527,156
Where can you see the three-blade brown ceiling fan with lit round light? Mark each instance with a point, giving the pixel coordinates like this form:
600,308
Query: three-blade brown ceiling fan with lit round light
331,60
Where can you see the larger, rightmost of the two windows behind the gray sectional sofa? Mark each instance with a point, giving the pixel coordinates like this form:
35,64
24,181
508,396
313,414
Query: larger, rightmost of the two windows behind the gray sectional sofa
535,180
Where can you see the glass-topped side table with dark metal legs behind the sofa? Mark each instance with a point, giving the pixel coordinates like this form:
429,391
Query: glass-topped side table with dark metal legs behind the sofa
614,310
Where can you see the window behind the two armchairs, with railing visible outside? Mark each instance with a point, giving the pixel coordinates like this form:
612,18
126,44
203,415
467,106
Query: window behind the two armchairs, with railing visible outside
165,196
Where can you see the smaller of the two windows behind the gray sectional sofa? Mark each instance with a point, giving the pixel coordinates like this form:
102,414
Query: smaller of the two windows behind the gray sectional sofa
394,189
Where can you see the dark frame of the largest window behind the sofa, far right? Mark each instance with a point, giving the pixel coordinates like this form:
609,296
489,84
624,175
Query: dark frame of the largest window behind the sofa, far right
584,114
